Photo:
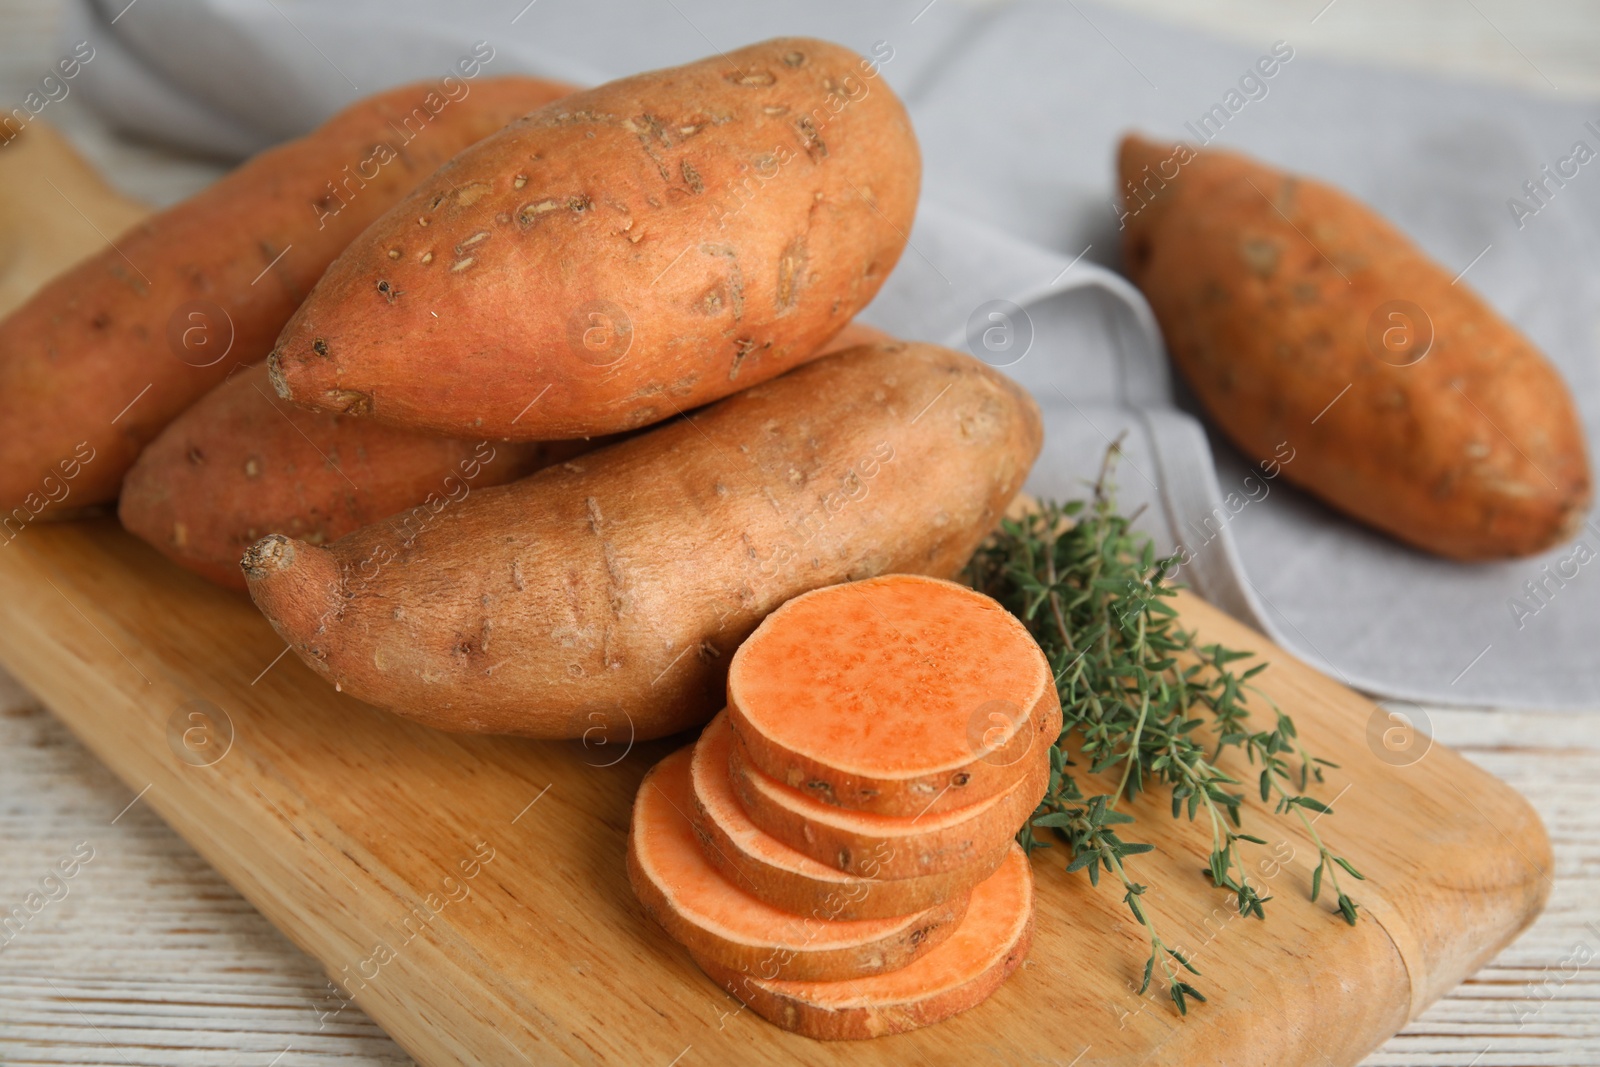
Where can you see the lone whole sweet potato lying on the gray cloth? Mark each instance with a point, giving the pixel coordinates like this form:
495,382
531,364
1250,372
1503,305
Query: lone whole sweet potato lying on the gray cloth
1265,287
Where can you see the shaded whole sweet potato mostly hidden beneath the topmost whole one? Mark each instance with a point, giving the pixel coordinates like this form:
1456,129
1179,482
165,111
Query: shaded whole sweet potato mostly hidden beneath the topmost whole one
244,465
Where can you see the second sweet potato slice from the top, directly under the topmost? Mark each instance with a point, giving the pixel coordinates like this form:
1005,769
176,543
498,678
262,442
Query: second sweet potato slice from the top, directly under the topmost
887,847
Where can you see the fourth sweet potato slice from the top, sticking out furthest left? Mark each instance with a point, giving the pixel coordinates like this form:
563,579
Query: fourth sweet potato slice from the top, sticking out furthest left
721,922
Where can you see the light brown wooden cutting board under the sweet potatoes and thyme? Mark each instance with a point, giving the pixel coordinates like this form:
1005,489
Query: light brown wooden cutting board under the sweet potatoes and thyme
471,890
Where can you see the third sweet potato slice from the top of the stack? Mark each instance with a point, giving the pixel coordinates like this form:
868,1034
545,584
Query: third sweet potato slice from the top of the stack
790,879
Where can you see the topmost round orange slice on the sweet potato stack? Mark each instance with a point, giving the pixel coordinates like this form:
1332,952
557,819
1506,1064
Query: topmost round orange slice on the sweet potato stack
900,695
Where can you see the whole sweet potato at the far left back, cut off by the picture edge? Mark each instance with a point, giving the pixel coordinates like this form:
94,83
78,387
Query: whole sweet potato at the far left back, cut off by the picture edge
94,358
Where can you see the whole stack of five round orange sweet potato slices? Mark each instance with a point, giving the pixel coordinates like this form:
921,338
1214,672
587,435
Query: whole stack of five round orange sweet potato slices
838,847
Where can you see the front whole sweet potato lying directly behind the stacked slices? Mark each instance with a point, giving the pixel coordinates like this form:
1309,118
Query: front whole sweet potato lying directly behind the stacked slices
606,596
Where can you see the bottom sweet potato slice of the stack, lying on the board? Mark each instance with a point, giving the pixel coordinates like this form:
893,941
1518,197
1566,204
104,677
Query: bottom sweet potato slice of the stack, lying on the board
991,943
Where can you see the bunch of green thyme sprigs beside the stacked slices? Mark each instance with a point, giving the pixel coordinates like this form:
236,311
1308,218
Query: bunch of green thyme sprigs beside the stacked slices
1143,700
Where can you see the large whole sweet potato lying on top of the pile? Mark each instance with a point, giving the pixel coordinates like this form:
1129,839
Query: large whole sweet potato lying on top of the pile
623,255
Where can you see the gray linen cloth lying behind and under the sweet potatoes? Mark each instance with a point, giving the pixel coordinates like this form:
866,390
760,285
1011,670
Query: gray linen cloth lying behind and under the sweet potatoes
1020,108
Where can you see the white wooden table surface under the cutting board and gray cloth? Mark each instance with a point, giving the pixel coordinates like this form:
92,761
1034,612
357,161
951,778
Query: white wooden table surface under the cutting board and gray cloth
151,959
